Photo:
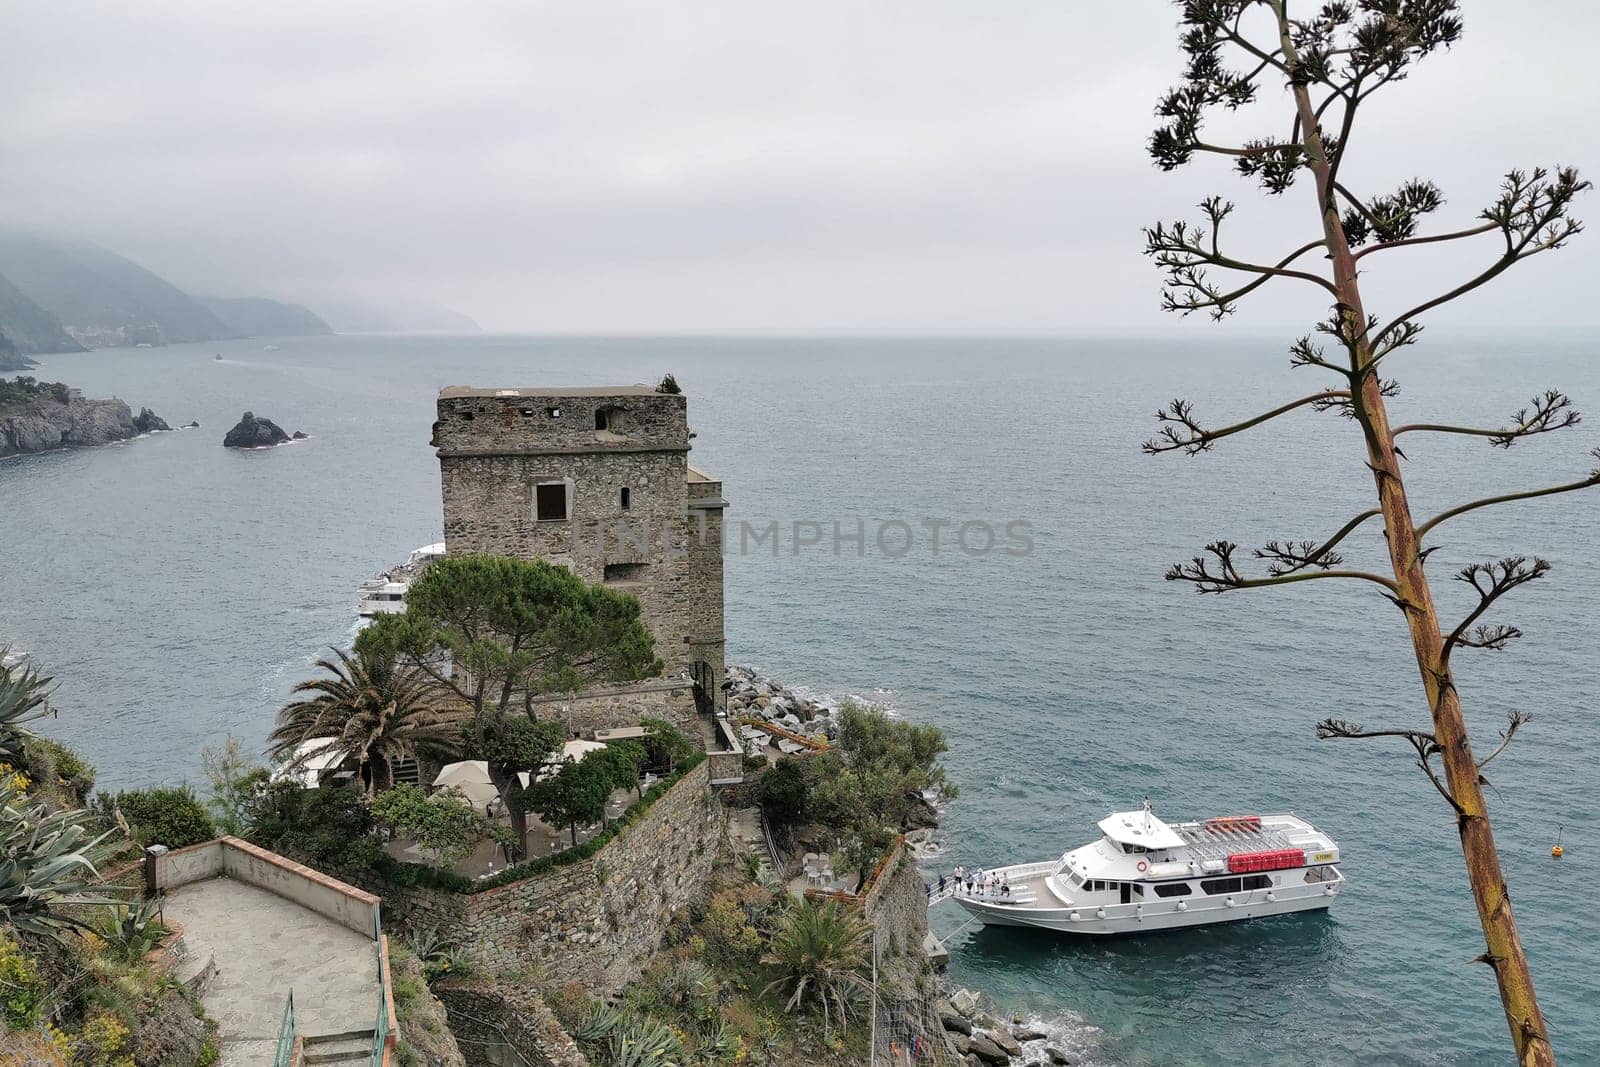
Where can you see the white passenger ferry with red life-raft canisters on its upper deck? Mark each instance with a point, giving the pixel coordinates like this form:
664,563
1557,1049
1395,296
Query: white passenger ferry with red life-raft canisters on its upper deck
1146,874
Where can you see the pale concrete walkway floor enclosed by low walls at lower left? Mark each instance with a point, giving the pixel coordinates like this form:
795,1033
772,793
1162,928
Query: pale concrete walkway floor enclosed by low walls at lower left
266,946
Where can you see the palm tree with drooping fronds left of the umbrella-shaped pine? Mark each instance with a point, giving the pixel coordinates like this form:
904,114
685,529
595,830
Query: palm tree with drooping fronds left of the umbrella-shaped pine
372,711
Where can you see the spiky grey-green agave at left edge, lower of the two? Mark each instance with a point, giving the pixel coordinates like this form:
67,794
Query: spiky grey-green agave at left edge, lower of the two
47,866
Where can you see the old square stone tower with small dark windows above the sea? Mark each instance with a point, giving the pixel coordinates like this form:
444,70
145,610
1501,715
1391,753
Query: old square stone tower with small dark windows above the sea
596,481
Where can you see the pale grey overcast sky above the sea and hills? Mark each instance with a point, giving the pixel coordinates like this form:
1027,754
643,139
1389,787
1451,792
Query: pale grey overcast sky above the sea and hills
724,164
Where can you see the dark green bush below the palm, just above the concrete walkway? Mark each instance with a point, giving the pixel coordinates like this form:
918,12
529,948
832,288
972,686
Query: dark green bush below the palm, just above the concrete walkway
330,826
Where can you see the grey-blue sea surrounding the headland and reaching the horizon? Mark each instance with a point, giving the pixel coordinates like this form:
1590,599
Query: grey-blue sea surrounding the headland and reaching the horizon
182,589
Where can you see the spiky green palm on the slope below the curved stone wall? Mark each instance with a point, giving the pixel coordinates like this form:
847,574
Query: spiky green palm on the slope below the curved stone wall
820,954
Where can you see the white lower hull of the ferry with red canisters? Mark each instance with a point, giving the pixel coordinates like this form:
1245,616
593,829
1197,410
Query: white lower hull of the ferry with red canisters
1142,919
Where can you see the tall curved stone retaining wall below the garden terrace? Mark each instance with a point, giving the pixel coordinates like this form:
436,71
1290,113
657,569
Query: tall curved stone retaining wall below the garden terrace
594,921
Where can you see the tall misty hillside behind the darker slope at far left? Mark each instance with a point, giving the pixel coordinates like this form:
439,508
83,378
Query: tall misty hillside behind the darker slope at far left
102,298
